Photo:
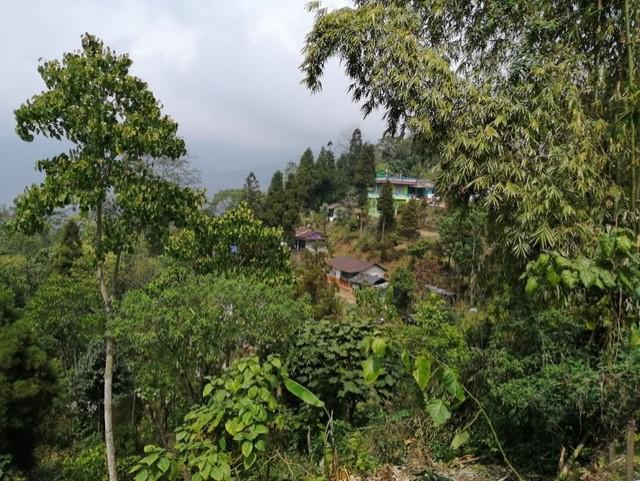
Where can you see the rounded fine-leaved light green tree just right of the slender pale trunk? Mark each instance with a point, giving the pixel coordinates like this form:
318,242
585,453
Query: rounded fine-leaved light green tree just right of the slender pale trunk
222,318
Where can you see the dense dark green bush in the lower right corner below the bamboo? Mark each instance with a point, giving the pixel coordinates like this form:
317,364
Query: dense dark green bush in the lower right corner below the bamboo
545,386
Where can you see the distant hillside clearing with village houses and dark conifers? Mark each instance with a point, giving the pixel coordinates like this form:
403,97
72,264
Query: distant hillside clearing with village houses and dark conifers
347,230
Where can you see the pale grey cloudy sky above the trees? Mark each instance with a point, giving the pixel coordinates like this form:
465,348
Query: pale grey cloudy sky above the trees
226,71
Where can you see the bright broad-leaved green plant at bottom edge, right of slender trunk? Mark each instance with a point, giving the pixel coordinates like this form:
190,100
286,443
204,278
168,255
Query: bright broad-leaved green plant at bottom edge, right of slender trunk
233,427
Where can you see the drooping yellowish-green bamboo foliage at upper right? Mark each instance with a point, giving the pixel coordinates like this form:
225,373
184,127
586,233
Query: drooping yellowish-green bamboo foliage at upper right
510,109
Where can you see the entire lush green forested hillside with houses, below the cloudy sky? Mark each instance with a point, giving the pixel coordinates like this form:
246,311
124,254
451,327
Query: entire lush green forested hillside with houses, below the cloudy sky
149,332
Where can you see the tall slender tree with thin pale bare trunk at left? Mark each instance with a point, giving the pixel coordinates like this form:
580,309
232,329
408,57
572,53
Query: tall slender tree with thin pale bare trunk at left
116,127
